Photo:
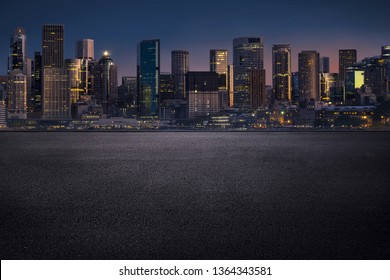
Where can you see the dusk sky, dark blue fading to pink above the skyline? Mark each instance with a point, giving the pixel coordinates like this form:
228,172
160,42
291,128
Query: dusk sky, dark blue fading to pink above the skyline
198,26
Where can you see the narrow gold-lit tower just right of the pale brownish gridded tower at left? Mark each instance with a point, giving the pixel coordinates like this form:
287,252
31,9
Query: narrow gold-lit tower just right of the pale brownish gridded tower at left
73,71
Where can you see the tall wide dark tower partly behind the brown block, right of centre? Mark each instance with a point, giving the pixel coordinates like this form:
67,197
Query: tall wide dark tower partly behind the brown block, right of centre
247,55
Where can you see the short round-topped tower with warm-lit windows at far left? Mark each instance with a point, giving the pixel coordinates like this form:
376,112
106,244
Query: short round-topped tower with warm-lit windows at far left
17,95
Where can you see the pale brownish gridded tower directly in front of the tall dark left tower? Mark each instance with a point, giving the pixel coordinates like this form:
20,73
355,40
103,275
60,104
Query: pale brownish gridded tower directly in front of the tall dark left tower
56,98
